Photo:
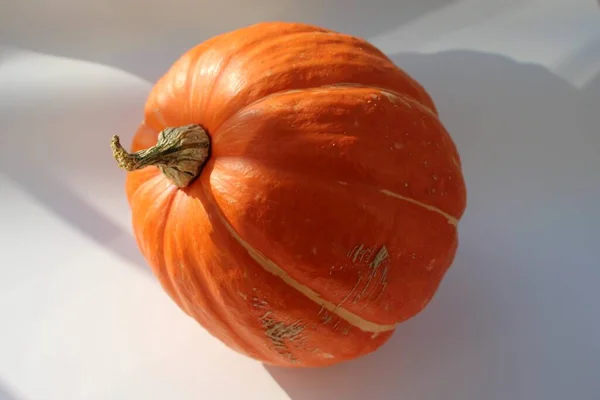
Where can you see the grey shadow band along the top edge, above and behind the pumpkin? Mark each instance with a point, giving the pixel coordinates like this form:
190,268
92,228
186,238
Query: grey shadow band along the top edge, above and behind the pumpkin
134,35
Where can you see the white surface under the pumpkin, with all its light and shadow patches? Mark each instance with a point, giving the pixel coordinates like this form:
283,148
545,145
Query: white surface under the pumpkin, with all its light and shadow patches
517,316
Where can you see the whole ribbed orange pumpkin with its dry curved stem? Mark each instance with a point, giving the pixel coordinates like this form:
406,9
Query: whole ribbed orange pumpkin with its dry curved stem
294,192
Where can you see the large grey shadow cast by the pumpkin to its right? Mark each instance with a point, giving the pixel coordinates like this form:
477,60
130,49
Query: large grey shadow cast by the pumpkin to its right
516,316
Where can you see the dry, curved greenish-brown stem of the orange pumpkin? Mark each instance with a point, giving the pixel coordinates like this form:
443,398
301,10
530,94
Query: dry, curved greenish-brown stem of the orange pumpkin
180,154
